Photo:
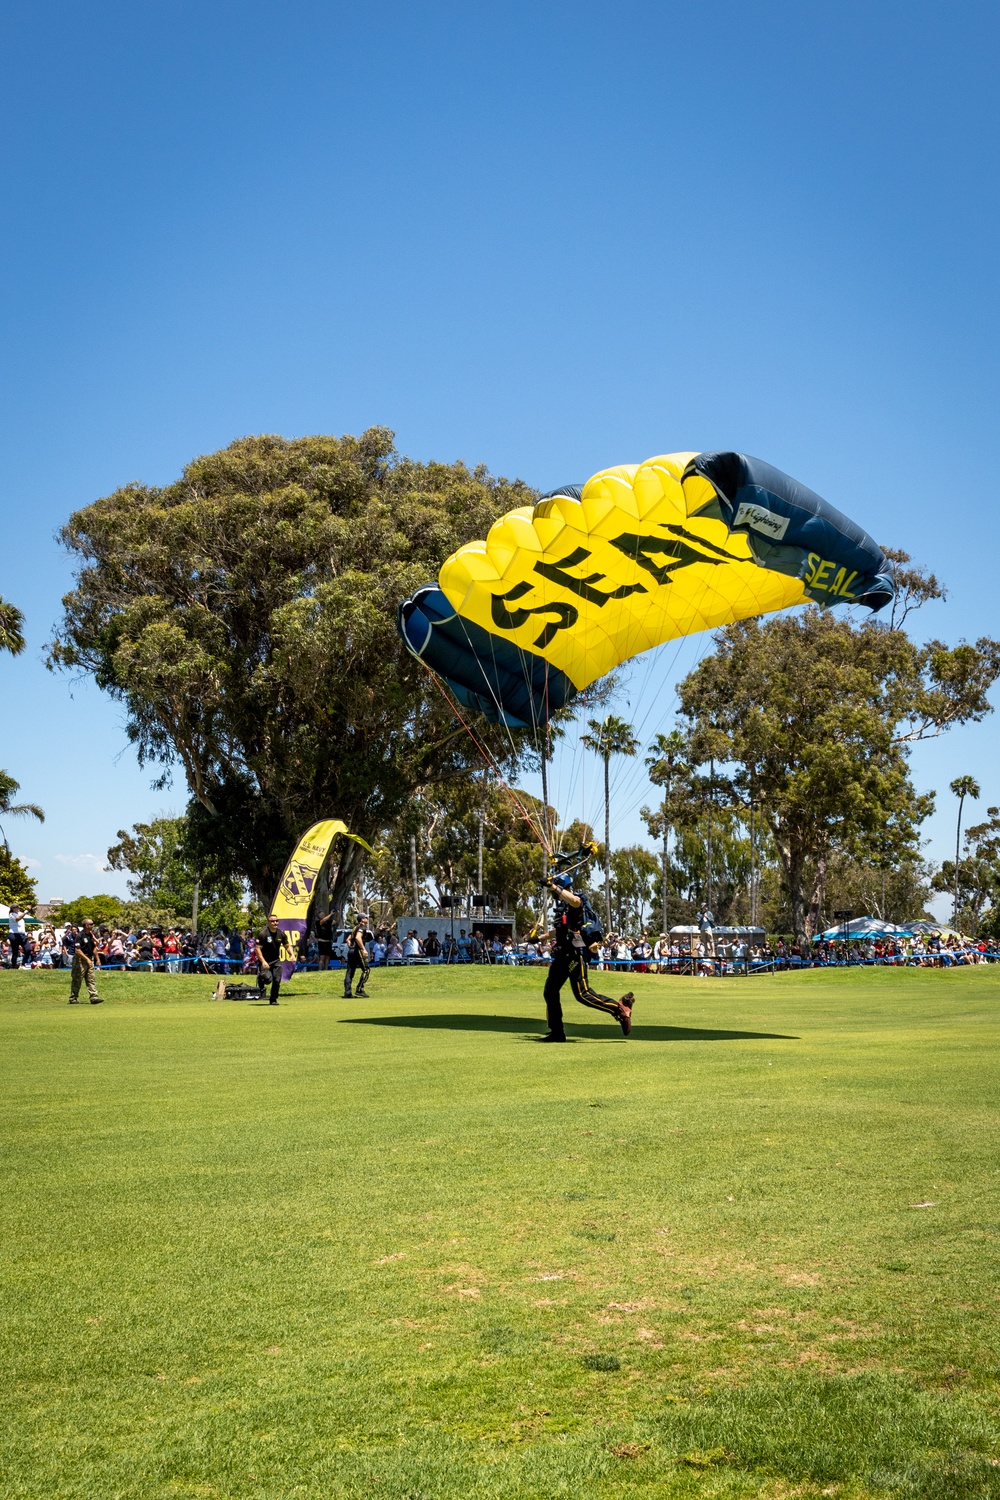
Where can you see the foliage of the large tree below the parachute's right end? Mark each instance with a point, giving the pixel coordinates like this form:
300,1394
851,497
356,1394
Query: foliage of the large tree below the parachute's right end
815,716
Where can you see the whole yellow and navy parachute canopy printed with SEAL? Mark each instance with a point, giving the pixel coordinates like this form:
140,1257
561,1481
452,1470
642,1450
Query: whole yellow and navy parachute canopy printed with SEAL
563,592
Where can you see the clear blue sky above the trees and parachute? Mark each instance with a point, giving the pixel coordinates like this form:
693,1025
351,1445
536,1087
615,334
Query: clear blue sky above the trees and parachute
546,238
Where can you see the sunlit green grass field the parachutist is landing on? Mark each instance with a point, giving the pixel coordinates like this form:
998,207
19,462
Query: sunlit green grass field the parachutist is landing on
397,1249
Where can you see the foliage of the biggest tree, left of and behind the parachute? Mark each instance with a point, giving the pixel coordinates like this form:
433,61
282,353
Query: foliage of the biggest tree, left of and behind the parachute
245,617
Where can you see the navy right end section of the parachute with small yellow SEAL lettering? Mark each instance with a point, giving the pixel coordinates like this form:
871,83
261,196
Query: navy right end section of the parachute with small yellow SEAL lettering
794,530
